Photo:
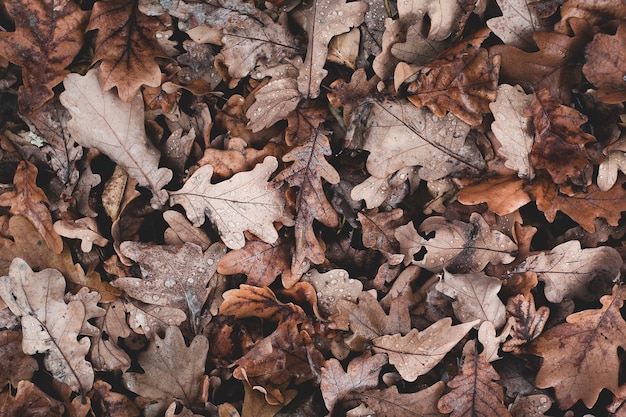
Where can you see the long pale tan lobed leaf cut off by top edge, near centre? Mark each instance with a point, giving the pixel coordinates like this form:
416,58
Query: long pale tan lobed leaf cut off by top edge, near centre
323,20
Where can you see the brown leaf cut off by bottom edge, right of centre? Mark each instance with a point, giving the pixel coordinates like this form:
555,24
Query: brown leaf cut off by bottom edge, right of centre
390,403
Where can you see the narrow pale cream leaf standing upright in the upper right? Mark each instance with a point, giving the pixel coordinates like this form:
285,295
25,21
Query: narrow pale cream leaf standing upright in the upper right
513,129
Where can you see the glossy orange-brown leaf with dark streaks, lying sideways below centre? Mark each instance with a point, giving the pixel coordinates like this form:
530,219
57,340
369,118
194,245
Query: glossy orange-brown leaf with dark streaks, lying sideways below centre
250,301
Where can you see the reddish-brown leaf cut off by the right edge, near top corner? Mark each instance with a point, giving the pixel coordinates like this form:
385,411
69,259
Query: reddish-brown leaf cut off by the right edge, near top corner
604,68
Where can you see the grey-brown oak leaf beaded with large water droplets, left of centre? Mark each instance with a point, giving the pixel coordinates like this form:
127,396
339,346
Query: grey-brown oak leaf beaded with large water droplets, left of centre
173,276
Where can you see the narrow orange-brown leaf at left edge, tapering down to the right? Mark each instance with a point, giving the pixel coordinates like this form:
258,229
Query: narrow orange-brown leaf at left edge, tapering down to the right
30,201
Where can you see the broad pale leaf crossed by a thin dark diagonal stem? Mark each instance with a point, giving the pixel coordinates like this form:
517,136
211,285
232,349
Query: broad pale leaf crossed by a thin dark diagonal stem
399,135
